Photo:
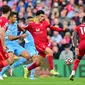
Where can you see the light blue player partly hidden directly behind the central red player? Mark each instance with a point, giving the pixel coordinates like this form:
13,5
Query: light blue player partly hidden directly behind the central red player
31,49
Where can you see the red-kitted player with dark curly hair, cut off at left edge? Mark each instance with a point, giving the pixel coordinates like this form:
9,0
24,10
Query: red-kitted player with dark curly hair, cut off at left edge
4,58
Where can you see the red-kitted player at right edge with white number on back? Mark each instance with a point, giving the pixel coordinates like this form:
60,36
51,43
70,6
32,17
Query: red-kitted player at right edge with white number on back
79,49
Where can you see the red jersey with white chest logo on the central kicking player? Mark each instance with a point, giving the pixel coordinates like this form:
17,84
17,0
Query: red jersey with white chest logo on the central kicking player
38,31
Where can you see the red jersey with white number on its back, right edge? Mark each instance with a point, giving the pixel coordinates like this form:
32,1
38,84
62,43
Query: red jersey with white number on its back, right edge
81,31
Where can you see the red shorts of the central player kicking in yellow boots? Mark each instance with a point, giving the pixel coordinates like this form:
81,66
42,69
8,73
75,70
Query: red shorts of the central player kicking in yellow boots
41,48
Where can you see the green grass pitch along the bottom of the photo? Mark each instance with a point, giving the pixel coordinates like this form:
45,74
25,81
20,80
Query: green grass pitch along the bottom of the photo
42,81
